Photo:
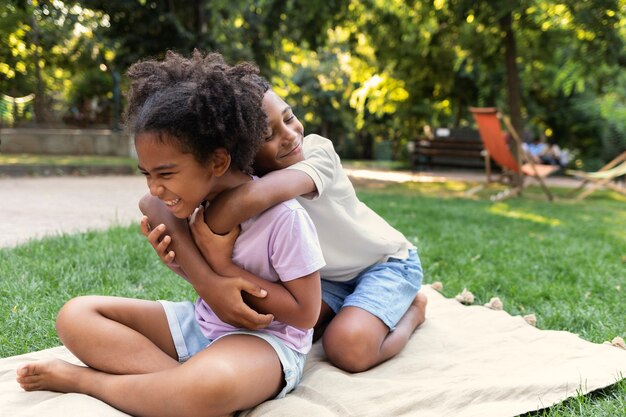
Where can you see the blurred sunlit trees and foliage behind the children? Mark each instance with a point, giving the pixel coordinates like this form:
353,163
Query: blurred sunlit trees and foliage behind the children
372,75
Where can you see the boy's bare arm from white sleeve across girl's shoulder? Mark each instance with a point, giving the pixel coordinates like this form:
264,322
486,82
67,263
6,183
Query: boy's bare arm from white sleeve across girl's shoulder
234,206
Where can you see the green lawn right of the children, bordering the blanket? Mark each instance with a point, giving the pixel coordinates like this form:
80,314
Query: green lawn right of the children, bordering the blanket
565,262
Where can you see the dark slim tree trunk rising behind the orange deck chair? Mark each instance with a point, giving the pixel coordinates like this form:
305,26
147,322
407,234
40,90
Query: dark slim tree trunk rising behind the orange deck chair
513,84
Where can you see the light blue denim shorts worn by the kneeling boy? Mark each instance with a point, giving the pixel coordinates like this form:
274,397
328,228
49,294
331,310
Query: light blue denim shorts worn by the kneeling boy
385,290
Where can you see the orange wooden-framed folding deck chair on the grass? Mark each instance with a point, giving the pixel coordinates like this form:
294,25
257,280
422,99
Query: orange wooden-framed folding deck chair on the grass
497,149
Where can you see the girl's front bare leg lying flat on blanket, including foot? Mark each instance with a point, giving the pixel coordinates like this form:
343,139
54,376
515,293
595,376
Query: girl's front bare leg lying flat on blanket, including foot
234,373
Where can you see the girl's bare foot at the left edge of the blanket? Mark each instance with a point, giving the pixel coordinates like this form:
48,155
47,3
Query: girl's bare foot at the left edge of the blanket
51,375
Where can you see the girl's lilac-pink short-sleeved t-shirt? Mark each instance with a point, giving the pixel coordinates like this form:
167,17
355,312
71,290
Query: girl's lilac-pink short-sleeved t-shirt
279,244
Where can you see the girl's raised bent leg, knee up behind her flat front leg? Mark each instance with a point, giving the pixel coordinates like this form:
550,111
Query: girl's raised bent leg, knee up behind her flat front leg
117,335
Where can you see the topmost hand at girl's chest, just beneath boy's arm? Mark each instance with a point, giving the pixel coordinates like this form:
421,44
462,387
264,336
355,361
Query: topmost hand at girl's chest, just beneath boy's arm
216,249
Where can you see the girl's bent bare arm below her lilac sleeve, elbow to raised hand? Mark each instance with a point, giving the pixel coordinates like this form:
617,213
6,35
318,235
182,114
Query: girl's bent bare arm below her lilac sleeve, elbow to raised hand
295,302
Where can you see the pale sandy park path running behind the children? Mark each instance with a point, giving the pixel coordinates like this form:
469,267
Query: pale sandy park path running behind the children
34,207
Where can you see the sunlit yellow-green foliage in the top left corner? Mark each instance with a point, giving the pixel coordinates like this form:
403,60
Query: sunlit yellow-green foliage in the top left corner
48,44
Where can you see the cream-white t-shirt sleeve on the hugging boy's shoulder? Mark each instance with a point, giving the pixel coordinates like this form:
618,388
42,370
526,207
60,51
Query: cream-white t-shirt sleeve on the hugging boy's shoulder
321,163
